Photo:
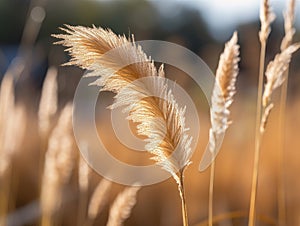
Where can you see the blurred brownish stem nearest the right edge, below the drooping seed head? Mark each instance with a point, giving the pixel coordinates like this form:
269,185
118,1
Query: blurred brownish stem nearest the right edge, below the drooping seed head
281,189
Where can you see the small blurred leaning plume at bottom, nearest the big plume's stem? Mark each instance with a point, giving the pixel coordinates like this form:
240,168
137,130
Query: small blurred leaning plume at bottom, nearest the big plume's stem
122,206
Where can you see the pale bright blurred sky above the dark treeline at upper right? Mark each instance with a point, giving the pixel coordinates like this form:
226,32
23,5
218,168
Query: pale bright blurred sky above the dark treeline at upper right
223,16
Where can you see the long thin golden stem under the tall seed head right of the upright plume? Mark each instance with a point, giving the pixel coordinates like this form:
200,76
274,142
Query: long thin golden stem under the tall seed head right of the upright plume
258,135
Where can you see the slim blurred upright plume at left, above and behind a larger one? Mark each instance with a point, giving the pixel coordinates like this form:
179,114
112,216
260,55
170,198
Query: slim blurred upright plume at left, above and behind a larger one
48,102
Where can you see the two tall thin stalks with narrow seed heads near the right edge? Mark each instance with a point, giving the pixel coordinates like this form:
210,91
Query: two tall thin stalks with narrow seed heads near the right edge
276,75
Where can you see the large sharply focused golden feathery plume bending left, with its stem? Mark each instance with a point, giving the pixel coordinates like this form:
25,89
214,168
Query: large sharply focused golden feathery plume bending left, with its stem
160,120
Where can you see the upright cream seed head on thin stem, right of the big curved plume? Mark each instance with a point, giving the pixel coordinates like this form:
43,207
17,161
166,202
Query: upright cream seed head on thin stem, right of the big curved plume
222,98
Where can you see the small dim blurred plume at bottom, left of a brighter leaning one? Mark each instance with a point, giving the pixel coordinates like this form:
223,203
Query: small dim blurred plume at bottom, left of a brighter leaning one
99,198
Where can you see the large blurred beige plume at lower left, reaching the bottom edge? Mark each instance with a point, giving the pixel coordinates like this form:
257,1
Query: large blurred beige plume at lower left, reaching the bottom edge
58,165
